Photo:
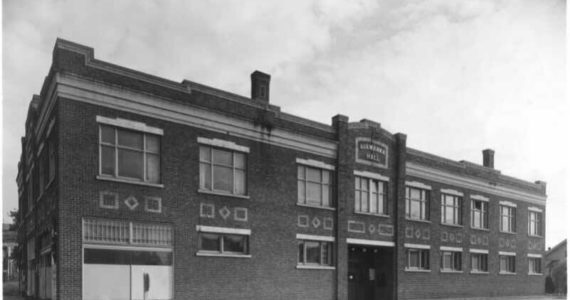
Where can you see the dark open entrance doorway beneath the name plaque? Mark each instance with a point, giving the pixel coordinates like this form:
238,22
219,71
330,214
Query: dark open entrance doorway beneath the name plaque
370,272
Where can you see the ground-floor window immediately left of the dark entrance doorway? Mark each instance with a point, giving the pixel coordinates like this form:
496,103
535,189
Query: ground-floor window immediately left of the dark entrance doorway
316,253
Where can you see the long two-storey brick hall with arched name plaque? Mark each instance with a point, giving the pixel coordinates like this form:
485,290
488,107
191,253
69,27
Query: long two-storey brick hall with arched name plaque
212,195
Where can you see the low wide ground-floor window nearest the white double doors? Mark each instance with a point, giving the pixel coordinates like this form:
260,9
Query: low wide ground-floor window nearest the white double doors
224,243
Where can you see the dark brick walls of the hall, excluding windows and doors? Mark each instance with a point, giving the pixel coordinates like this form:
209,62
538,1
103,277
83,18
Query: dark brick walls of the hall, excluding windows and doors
80,89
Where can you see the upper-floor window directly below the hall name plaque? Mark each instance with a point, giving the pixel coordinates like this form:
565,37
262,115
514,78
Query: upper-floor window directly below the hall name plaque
370,196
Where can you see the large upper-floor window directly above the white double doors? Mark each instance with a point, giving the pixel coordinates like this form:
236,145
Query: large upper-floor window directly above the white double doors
129,154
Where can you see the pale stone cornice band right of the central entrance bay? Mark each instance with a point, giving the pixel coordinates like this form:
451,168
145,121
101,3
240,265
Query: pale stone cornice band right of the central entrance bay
428,173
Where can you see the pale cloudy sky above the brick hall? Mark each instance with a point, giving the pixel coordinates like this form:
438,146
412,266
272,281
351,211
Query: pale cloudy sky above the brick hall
455,76
